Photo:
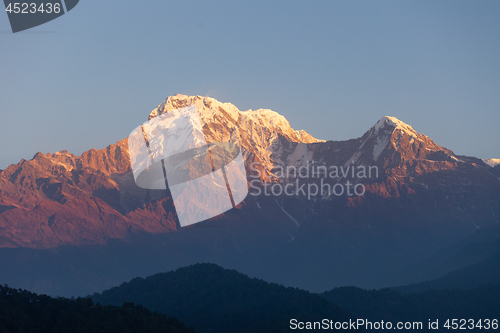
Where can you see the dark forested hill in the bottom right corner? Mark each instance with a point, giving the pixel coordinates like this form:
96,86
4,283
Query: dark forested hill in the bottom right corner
479,306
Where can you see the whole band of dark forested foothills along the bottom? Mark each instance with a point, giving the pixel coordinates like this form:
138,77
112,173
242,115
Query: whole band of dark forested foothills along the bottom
214,299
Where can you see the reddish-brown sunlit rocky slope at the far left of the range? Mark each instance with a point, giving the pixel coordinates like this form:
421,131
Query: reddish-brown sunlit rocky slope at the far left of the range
61,199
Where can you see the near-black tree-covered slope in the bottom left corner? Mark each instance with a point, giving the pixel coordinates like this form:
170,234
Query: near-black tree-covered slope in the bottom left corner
23,311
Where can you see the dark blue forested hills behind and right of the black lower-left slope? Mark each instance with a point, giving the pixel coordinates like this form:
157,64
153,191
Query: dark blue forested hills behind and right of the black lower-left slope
214,299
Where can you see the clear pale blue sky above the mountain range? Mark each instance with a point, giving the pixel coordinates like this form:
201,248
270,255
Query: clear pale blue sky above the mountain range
333,68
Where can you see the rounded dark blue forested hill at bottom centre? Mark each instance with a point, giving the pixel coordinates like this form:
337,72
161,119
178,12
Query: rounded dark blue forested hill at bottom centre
217,300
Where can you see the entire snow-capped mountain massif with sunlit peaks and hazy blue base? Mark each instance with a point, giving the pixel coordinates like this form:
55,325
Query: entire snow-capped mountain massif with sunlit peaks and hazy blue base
84,218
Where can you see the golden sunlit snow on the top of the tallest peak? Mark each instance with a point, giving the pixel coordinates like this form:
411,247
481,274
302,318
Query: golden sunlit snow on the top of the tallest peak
258,130
